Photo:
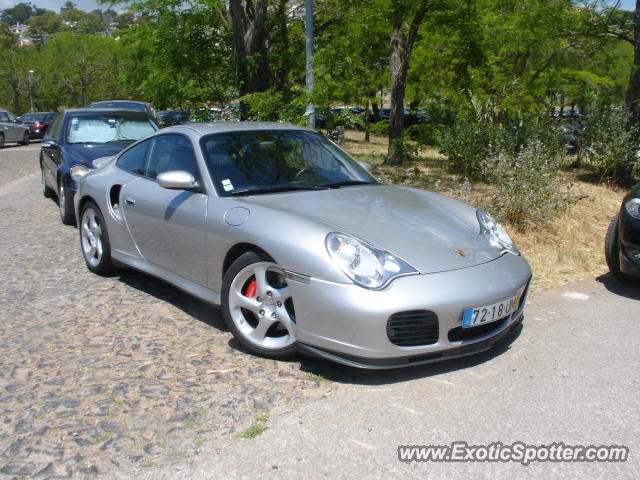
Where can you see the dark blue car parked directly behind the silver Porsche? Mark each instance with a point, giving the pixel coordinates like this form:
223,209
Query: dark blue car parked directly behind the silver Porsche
76,138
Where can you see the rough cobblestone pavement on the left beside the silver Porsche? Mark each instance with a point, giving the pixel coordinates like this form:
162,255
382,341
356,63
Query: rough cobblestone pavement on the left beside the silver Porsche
108,376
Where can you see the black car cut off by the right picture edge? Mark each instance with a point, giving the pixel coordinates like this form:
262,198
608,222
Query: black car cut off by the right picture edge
622,243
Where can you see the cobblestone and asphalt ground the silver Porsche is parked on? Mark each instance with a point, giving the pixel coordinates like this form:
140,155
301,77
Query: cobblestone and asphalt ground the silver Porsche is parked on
127,377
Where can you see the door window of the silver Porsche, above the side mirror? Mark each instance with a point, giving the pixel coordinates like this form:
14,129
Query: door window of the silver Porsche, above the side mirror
172,152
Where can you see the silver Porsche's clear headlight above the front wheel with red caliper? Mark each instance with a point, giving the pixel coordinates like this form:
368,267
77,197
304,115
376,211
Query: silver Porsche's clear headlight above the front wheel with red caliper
365,265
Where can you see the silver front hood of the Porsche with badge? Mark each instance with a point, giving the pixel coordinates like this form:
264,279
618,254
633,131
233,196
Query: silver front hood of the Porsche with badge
412,224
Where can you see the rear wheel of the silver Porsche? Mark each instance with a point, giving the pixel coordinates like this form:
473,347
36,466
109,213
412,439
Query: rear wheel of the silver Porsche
94,240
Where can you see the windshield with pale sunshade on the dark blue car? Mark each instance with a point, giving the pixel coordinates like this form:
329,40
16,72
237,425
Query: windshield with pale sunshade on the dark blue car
105,128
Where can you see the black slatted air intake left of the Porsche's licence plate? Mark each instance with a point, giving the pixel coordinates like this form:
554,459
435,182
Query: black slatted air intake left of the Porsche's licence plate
414,328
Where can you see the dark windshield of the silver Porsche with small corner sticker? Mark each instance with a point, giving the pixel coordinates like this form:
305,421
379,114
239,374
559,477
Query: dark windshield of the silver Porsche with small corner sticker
268,161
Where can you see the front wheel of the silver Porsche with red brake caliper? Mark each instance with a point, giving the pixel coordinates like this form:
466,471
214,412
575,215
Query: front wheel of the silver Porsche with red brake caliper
258,308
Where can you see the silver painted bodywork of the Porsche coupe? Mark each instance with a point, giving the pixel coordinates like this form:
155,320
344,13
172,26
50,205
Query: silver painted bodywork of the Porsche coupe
333,313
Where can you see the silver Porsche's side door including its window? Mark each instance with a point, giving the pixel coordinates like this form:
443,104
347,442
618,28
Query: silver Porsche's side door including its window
168,226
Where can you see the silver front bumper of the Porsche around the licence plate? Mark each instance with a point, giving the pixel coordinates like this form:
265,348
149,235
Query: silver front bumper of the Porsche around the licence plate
348,324
